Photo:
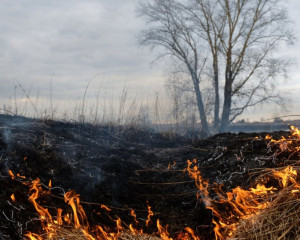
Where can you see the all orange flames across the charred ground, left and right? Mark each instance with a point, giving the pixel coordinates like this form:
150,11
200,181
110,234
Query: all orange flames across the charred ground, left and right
229,209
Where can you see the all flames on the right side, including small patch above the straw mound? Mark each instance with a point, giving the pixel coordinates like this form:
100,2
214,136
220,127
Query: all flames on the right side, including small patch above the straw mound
243,204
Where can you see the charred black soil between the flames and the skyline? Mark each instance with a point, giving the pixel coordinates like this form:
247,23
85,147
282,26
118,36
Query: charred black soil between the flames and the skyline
123,168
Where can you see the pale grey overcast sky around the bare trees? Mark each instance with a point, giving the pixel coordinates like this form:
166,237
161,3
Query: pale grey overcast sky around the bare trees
75,41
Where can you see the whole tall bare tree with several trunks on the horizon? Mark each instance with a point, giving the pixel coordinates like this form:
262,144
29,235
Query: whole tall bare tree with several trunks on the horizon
241,37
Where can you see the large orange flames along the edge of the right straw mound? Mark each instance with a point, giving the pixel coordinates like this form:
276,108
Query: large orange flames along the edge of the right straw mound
241,203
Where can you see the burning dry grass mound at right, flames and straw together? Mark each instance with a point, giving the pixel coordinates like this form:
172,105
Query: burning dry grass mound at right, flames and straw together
271,210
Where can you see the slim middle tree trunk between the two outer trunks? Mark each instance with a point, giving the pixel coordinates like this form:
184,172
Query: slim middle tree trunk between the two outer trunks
217,97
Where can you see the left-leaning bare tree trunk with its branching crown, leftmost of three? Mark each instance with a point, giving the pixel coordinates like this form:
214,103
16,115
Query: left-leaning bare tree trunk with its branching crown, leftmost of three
171,31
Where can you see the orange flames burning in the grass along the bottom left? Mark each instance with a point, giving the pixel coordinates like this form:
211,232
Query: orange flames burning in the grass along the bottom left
75,225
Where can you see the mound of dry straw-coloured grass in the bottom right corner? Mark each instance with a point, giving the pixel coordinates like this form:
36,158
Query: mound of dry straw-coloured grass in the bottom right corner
280,221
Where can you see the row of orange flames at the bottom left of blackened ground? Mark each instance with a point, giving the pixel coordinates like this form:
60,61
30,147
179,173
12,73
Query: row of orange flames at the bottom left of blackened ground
53,225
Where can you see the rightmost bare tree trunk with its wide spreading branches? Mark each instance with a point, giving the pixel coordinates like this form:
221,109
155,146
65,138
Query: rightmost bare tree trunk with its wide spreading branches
254,29
